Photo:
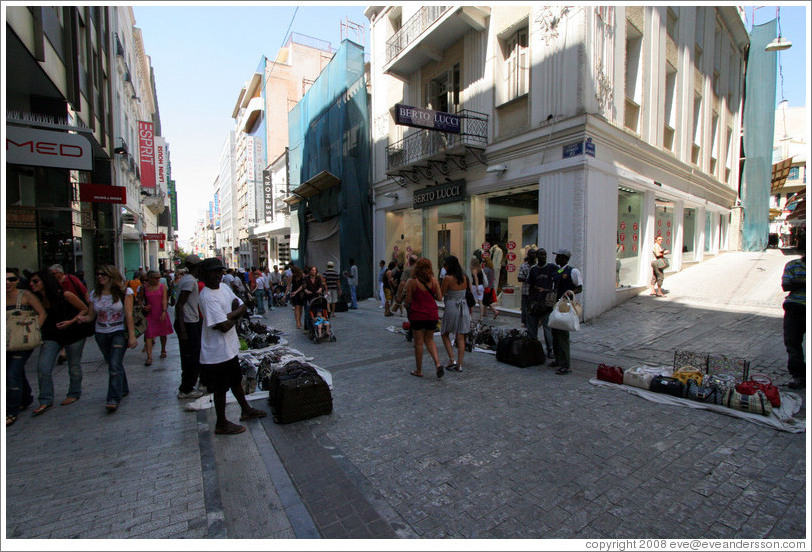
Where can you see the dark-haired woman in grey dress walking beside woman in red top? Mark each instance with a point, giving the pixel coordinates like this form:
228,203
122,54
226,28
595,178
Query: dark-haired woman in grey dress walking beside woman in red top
456,314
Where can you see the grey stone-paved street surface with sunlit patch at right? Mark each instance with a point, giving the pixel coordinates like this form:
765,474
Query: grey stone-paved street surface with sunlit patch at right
492,452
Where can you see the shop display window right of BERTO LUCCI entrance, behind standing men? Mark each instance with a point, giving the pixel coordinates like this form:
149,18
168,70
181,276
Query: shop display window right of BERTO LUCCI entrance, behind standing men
511,230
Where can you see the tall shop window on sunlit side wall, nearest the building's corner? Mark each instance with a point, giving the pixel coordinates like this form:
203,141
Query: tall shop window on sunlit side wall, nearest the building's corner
629,210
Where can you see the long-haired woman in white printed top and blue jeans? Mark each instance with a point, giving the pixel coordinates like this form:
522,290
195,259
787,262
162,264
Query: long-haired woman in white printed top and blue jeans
111,306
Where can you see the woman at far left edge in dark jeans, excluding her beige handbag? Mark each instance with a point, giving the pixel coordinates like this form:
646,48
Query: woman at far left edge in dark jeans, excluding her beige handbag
18,390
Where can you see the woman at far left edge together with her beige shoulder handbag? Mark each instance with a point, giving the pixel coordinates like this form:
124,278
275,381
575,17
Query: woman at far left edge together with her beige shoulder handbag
20,304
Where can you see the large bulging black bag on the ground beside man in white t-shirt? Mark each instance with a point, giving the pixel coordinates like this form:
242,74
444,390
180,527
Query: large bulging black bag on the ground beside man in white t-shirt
297,392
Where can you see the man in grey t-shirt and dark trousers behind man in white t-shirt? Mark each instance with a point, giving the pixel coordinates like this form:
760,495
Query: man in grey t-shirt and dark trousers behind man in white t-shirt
188,327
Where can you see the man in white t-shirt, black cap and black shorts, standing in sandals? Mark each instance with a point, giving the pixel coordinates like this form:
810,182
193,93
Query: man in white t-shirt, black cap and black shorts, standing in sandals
219,366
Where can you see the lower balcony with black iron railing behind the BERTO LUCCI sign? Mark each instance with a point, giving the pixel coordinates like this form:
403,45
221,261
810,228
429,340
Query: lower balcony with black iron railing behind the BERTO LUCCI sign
429,145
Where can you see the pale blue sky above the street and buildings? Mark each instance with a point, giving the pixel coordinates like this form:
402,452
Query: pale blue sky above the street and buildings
203,55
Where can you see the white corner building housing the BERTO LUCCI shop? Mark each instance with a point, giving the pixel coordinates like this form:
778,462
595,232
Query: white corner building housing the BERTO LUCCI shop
575,124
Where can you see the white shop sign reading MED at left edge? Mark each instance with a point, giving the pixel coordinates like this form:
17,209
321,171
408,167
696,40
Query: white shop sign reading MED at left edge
46,148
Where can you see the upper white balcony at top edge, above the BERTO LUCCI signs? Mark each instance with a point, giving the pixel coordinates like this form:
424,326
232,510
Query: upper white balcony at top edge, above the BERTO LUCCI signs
427,33
